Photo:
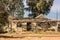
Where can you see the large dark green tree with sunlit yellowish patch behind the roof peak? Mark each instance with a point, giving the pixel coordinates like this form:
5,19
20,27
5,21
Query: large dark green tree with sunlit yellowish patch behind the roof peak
38,7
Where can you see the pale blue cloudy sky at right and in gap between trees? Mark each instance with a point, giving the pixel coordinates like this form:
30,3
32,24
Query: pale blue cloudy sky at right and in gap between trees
54,10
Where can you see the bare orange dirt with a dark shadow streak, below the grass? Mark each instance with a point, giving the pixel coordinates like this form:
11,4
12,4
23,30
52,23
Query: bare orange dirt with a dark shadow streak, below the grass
29,36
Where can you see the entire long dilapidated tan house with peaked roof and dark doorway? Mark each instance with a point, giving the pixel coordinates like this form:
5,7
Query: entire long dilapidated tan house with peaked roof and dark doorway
40,23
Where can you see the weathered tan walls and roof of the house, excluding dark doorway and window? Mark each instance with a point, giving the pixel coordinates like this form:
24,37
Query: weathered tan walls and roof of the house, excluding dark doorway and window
34,23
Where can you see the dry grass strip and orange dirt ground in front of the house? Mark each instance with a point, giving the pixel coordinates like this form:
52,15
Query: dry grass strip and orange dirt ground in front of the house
31,36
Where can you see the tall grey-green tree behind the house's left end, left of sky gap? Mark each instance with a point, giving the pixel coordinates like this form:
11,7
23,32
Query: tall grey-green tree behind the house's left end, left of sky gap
15,8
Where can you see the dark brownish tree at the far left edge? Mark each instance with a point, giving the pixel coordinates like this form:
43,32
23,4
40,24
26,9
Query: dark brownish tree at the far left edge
3,13
